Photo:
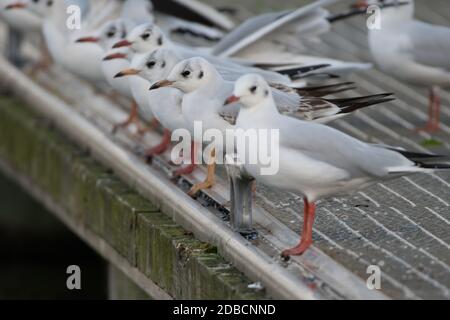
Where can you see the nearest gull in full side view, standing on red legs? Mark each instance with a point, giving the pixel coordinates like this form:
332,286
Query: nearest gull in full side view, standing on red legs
318,161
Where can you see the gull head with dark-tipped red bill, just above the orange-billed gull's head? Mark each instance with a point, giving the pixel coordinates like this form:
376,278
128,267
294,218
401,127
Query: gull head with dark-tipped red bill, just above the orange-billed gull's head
144,38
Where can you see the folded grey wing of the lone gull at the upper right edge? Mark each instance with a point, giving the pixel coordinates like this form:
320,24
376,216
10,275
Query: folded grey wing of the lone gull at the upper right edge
430,44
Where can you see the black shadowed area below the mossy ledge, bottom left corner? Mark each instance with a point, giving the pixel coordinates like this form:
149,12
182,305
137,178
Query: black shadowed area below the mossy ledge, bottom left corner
36,249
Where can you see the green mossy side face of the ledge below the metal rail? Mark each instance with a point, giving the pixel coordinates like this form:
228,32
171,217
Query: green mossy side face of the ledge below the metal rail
96,199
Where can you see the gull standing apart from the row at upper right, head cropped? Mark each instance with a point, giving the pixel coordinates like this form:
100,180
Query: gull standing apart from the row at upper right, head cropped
412,51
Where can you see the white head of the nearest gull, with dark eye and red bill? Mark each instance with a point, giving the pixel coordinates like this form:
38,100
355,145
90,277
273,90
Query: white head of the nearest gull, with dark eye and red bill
250,90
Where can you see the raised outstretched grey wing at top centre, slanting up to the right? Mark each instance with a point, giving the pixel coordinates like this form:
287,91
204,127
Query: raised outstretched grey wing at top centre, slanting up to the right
258,27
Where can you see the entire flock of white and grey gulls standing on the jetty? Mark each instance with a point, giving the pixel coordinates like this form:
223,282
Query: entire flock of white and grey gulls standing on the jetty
257,75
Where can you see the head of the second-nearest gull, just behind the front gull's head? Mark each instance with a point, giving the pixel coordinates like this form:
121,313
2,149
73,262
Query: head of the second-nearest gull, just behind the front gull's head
190,75
